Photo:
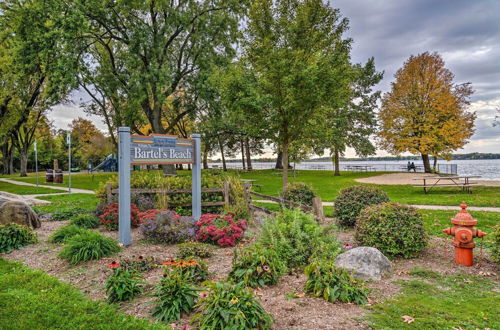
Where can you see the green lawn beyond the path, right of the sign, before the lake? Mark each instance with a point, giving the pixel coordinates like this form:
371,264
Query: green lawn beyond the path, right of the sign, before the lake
328,186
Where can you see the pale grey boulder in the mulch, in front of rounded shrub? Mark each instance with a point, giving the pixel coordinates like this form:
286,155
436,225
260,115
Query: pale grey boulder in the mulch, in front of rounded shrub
368,263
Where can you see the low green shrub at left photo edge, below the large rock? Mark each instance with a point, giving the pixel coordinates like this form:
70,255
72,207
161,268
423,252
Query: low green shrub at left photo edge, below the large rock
14,236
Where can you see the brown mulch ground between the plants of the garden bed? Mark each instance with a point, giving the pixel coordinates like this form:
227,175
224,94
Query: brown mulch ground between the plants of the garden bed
289,313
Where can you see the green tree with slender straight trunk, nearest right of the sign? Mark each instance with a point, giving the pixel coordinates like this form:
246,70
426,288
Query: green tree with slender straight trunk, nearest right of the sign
289,42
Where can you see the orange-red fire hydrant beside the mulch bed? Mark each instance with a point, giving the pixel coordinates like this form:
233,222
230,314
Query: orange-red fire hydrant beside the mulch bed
464,233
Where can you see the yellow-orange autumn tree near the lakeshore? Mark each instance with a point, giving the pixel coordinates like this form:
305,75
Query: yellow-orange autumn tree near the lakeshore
426,112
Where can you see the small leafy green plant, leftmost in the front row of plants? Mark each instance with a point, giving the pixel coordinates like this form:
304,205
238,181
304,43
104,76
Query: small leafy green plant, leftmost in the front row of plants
123,284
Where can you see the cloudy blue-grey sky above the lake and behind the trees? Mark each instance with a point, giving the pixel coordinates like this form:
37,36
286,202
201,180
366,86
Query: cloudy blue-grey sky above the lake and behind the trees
465,32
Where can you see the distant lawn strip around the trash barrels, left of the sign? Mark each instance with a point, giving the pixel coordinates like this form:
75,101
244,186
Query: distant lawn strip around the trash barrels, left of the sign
80,181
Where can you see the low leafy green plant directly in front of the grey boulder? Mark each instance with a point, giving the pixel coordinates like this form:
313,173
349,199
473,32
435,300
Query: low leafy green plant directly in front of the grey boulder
333,283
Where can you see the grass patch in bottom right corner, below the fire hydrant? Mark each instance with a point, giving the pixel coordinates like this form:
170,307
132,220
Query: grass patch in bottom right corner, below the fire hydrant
437,301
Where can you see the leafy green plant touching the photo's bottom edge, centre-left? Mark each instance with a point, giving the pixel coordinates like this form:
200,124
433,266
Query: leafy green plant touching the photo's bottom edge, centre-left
229,306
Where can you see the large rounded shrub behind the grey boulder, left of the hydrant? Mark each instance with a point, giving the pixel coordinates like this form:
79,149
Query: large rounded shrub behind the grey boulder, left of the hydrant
397,230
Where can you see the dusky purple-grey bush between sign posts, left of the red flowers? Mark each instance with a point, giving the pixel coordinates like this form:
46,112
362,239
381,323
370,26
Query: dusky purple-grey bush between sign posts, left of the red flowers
167,227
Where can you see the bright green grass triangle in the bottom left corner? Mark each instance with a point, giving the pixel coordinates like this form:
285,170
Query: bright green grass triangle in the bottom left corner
30,299
